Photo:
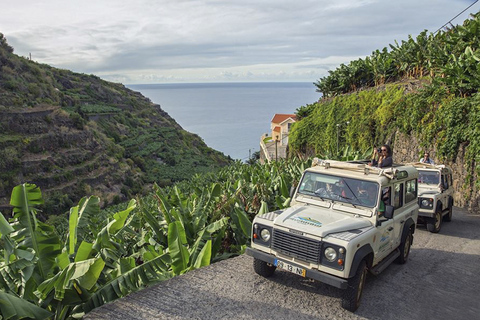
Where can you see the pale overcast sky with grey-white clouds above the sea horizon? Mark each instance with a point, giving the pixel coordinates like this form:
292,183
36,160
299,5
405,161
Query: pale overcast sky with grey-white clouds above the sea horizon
164,41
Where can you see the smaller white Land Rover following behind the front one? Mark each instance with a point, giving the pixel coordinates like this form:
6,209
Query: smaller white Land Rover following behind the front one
435,195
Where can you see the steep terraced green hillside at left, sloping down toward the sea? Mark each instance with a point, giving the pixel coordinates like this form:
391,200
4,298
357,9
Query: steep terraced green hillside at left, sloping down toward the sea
75,134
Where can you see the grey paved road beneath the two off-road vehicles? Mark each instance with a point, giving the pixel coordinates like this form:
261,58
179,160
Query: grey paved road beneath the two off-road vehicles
441,280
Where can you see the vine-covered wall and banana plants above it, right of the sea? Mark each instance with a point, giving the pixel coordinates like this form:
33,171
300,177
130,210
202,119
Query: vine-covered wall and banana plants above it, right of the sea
425,87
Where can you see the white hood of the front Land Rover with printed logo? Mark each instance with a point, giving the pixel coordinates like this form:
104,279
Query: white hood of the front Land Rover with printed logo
319,221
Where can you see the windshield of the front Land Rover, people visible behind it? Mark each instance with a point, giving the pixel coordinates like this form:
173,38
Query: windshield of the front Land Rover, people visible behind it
341,189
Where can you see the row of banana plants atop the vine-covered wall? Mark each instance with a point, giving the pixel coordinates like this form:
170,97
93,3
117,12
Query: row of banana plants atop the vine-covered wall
451,58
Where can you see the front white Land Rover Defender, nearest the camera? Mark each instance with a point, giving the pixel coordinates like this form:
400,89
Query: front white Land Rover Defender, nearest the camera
346,218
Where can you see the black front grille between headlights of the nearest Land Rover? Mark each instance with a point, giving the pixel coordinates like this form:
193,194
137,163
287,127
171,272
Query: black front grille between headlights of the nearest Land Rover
296,246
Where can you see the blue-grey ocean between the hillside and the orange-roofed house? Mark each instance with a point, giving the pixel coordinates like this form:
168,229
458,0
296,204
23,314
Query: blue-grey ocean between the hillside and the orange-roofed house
229,117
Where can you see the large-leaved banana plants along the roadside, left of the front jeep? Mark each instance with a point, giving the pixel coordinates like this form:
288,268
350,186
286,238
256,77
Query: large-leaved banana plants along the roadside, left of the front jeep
62,271
